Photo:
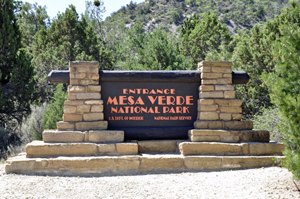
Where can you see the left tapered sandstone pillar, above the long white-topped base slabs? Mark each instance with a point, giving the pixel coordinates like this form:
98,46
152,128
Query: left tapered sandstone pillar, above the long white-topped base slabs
84,109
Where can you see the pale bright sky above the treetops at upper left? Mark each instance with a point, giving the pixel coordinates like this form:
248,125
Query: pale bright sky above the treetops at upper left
55,6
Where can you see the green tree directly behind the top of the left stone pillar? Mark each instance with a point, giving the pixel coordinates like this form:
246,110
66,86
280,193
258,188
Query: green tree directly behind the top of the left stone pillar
67,39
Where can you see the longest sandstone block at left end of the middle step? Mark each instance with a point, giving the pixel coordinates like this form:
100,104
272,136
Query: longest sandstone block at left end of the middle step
41,149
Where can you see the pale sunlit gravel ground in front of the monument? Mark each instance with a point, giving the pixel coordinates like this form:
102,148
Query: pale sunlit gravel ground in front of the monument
270,182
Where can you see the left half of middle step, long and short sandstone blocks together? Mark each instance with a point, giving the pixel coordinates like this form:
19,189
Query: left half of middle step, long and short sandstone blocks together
39,149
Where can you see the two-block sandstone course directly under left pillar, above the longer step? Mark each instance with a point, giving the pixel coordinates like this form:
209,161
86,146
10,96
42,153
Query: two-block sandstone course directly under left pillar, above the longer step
98,136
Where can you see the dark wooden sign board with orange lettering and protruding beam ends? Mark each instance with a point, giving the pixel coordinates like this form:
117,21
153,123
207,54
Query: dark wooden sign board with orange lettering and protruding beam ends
150,104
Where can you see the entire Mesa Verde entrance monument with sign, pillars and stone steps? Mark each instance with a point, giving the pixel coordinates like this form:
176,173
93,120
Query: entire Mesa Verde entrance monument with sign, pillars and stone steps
125,122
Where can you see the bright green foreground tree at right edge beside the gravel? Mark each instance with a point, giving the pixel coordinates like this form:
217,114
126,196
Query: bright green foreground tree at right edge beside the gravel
284,83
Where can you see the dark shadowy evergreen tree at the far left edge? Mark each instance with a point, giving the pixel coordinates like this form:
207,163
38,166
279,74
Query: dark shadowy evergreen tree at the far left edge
17,83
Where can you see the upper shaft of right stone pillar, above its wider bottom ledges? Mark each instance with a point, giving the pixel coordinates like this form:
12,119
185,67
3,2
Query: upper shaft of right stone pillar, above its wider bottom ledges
217,96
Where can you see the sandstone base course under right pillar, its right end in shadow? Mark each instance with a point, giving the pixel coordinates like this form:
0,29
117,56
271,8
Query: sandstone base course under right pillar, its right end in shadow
208,135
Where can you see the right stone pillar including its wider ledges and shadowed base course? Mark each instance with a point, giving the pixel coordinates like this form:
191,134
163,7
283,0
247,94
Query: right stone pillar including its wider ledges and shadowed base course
219,113
